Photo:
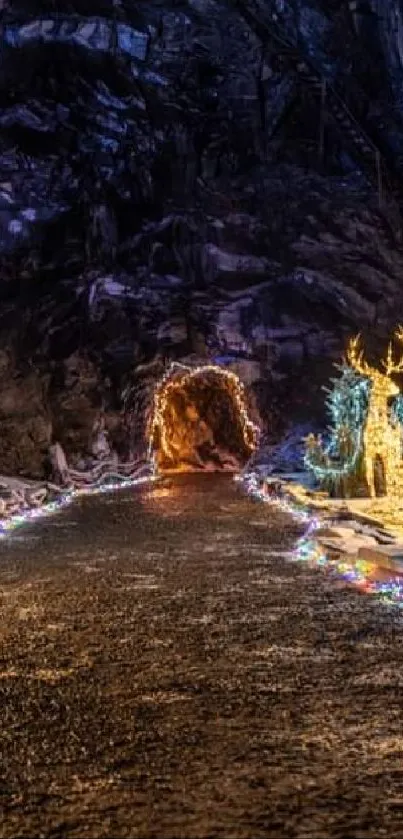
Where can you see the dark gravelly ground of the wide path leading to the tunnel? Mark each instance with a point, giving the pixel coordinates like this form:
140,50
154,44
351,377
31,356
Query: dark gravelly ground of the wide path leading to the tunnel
167,671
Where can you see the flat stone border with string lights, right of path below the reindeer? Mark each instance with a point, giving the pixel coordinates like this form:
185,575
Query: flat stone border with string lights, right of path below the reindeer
348,544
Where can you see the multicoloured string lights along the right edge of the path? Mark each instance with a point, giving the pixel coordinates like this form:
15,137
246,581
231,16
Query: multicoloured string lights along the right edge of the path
307,549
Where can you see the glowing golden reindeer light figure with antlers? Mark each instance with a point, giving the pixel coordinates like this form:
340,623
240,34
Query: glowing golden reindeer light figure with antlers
381,437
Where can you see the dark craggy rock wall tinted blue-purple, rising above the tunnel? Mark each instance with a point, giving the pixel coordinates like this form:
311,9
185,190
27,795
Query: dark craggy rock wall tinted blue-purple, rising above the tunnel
201,179
